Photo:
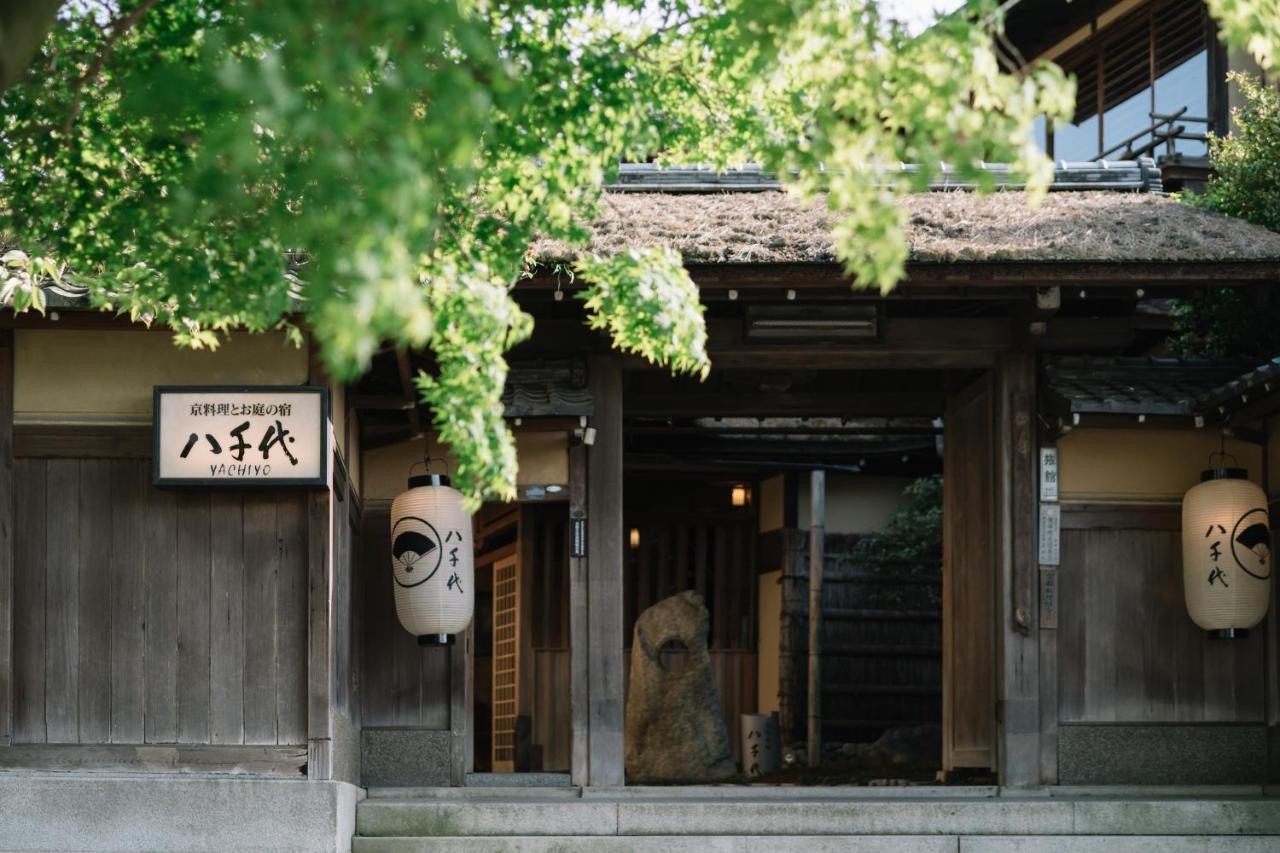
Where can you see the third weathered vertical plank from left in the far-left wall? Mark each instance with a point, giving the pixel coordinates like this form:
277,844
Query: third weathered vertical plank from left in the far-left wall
95,596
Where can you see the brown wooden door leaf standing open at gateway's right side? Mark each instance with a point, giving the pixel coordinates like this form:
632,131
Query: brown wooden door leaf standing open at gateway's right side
971,553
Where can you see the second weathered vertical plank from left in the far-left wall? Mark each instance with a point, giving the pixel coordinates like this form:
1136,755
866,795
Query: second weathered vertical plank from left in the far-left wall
62,595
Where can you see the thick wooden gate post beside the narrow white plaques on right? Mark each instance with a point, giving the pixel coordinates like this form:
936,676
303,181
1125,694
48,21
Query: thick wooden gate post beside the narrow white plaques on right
1018,672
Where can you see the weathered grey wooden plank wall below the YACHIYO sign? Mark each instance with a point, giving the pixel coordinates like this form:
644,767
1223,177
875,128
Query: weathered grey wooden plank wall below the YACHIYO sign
157,617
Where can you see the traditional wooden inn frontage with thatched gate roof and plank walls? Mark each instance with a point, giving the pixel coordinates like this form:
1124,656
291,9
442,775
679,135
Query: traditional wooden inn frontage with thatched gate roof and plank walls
200,668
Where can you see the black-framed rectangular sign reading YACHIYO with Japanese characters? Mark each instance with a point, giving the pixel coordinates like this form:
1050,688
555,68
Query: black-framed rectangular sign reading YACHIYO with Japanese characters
241,436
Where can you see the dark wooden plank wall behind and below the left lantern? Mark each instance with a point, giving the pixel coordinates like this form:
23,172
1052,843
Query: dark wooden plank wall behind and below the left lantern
403,683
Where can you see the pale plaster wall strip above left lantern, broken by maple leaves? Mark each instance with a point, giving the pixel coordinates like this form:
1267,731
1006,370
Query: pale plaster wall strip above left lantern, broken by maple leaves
543,460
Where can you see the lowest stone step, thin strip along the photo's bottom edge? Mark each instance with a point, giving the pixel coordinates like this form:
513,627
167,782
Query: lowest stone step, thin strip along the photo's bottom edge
825,845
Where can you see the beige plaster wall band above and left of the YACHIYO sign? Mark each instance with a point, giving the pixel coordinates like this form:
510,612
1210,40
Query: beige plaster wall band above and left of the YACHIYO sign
106,377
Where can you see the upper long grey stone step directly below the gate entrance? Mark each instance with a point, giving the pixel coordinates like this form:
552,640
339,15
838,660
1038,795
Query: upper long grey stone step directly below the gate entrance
390,818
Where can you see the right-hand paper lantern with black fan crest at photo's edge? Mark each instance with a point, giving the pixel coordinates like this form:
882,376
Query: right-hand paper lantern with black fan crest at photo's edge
1227,553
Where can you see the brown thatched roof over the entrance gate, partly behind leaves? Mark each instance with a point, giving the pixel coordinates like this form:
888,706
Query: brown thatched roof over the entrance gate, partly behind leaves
776,229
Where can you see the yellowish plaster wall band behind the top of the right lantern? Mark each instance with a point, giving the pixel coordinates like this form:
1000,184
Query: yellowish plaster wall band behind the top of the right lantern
1142,466
